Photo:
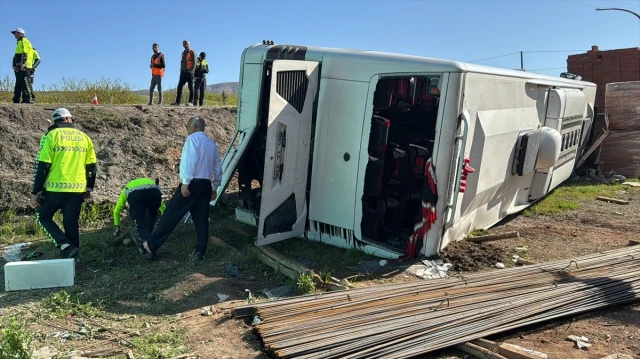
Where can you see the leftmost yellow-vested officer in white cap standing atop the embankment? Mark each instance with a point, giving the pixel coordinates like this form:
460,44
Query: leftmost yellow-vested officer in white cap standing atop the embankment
22,66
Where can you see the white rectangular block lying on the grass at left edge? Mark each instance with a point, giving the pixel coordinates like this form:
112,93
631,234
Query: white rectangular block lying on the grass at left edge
50,273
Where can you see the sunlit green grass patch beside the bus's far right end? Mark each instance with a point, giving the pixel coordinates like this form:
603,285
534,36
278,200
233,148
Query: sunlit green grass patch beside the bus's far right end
572,194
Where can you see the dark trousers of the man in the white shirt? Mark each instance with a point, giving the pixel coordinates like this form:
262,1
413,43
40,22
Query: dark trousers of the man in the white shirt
197,204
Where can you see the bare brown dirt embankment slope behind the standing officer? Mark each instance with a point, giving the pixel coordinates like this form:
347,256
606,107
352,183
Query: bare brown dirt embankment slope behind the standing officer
130,142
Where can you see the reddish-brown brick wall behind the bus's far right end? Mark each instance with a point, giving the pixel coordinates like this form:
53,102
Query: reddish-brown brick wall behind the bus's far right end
603,67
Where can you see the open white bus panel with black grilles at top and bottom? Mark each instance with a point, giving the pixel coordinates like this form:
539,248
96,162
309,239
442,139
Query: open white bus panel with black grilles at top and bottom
283,208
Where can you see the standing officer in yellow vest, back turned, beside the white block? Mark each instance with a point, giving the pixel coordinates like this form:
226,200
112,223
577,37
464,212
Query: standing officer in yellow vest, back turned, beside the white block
65,174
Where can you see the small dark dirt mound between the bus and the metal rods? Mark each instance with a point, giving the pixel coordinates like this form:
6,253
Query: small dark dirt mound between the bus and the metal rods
471,257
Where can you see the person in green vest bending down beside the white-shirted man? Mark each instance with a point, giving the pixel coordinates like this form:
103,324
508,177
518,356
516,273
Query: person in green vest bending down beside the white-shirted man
145,199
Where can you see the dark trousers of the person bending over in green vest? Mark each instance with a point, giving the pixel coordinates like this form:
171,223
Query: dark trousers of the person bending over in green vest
143,209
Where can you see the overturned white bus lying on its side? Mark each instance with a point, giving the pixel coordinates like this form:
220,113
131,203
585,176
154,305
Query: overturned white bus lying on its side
395,155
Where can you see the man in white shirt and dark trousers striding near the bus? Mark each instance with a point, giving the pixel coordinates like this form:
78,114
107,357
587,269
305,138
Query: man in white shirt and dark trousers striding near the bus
199,163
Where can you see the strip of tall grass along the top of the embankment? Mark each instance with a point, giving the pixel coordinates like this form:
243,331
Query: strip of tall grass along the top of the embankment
108,91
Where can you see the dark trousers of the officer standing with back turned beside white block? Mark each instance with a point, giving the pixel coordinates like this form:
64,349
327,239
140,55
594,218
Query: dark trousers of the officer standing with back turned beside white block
70,204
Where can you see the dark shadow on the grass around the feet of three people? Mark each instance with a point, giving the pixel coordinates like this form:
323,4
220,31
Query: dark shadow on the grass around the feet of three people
126,283
